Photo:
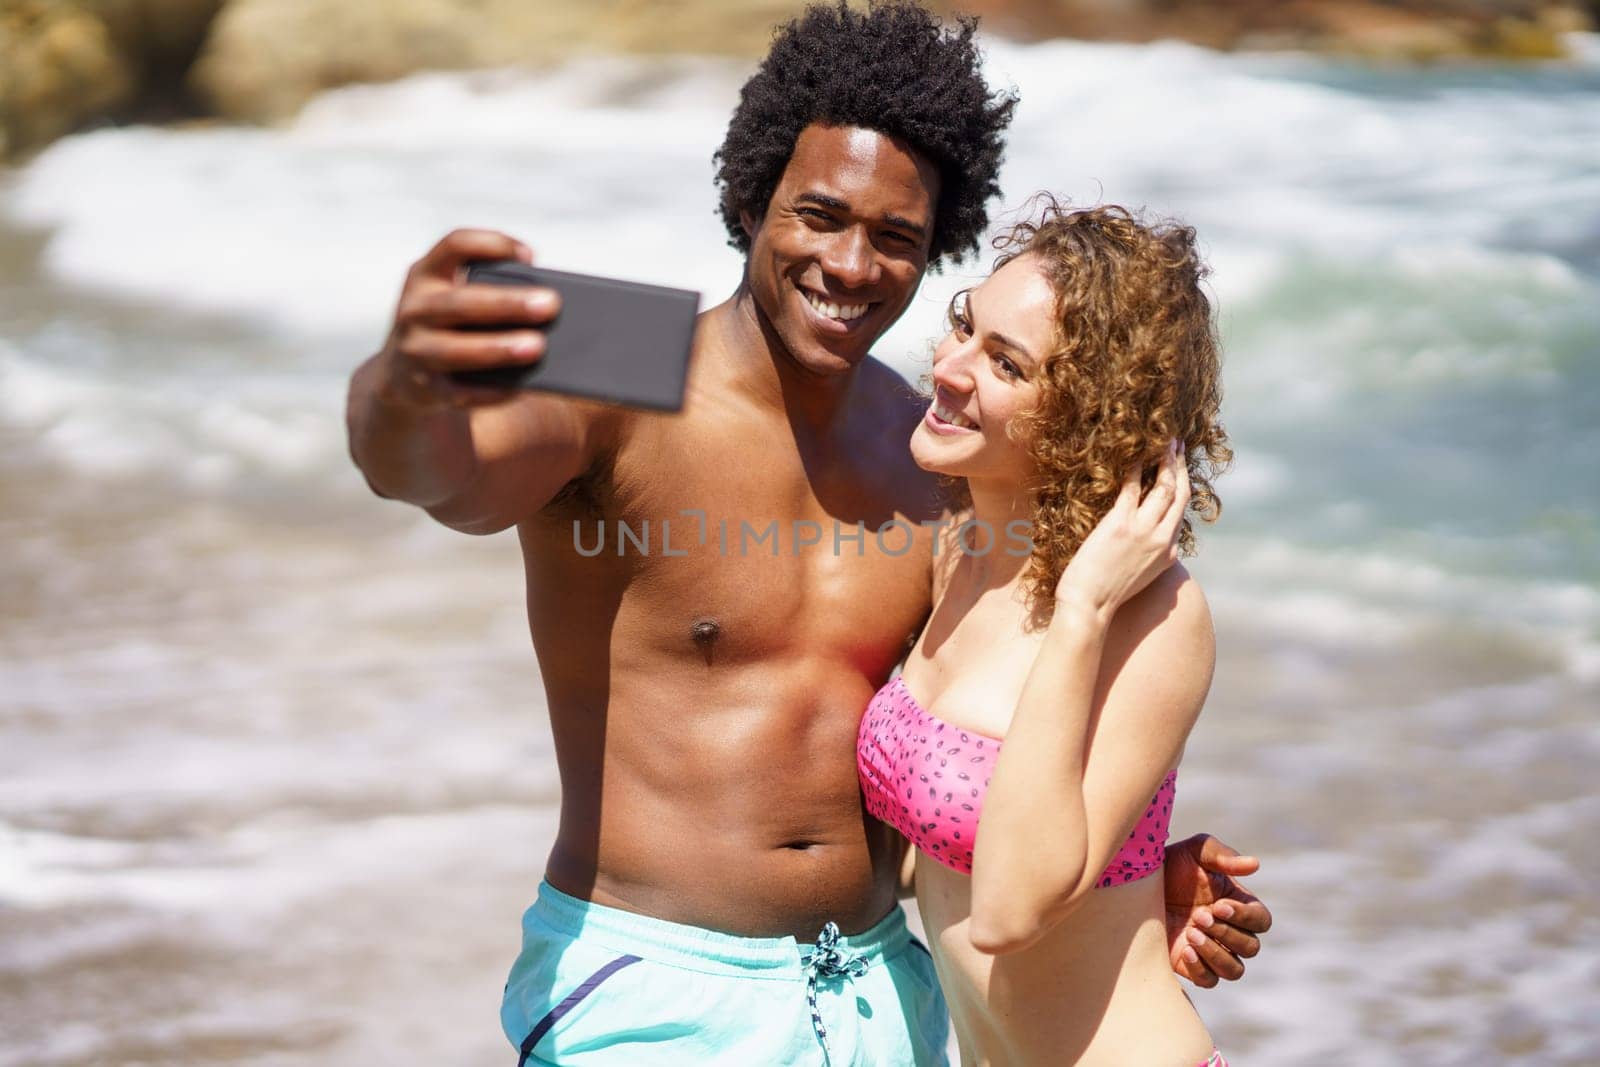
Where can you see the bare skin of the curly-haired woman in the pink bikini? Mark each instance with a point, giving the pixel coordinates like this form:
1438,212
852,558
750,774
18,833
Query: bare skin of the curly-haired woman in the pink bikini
1108,957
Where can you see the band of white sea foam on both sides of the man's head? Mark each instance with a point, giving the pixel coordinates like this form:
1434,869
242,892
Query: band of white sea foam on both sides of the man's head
607,169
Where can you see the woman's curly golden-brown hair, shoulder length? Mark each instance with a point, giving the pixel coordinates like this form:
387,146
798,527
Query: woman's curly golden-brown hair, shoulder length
1137,364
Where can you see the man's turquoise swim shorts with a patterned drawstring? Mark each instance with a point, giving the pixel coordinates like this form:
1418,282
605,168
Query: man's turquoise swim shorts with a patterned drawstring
602,988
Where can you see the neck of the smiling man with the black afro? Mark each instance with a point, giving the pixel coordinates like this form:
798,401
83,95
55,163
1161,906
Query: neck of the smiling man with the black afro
759,366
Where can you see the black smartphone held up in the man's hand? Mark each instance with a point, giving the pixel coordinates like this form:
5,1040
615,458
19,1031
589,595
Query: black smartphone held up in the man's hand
617,342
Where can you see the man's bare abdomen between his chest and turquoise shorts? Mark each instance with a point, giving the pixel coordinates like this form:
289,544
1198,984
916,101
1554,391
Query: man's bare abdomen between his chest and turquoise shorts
726,801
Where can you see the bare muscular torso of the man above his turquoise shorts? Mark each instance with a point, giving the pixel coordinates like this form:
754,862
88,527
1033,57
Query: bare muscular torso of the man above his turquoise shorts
705,706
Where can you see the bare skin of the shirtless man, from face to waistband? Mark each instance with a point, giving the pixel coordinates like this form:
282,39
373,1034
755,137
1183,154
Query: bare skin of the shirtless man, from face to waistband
703,706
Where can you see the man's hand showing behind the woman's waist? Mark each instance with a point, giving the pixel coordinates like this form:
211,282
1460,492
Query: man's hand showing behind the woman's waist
1214,924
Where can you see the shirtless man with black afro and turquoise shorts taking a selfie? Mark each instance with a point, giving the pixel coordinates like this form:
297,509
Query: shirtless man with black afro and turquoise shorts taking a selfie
716,893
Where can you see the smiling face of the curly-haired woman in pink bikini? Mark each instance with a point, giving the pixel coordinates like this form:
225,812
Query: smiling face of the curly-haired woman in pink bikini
985,374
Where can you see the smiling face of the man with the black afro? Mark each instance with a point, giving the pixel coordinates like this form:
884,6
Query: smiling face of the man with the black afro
844,244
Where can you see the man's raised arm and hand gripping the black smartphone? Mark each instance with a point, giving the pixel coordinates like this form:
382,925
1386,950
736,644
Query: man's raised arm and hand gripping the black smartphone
478,460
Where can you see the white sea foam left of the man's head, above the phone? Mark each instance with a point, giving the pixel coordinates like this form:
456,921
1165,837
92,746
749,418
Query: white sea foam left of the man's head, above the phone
311,228
